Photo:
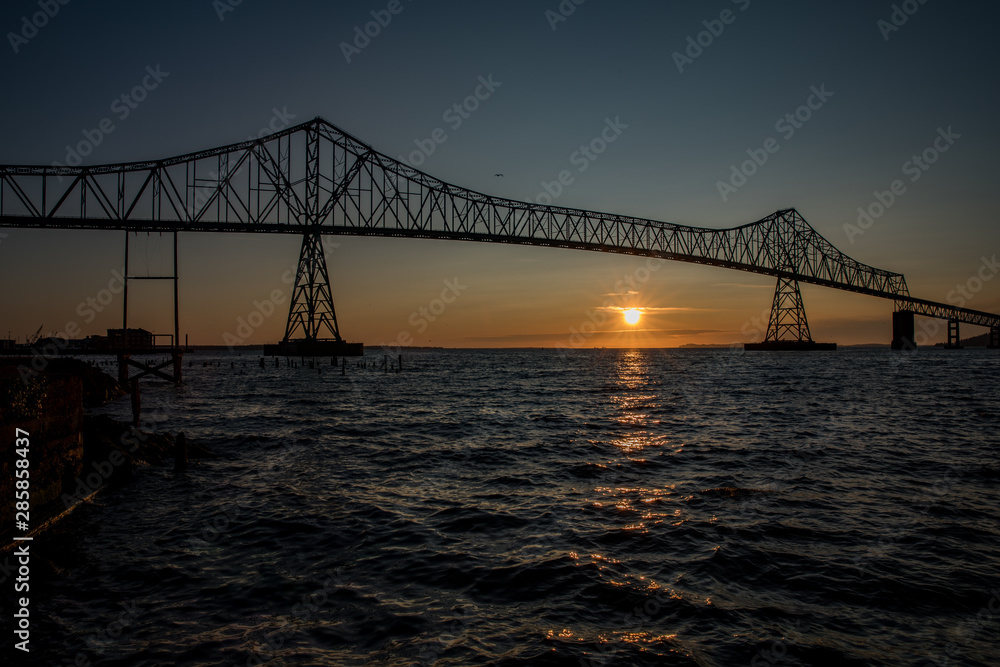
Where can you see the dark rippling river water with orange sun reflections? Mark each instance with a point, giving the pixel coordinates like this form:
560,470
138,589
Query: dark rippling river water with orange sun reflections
519,507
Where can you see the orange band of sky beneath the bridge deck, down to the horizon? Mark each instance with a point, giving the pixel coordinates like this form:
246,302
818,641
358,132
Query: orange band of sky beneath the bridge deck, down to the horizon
236,290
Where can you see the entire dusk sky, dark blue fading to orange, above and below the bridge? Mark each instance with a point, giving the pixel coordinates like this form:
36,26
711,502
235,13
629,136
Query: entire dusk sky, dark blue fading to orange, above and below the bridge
227,71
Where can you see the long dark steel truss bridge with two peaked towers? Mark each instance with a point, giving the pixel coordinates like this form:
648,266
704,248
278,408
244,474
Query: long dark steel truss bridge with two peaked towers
315,179
